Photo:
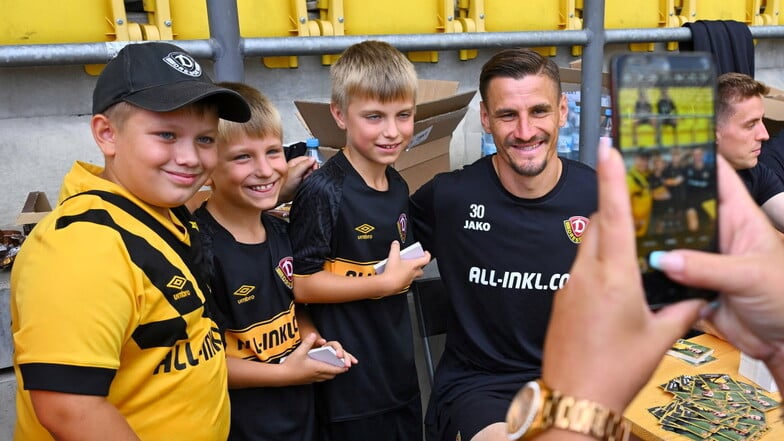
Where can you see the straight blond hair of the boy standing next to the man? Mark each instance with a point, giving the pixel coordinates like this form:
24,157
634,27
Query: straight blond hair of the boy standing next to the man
372,69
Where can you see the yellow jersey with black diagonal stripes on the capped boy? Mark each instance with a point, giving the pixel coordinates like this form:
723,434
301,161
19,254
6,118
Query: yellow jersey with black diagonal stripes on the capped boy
106,301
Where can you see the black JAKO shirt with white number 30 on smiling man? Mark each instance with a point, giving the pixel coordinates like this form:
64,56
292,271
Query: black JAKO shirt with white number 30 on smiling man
501,259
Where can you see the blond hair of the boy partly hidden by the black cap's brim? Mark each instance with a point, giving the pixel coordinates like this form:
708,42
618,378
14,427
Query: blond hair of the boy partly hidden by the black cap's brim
264,117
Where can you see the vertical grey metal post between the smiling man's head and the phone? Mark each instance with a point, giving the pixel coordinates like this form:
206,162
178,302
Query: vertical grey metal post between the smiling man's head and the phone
591,88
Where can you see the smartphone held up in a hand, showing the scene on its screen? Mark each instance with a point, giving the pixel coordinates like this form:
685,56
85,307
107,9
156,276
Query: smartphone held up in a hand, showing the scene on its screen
663,108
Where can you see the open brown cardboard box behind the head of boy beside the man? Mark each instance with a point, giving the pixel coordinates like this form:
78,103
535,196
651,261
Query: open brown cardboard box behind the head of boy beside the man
438,113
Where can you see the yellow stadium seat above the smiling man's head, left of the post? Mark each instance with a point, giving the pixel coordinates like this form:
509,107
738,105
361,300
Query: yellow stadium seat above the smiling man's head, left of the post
518,16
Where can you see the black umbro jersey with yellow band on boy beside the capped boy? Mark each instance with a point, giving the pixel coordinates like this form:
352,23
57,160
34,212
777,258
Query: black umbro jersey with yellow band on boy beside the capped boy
251,284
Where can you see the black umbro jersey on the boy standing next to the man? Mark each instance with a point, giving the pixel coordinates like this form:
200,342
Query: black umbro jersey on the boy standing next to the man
341,225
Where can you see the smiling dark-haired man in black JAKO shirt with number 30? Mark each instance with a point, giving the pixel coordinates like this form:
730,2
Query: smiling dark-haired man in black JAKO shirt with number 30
504,231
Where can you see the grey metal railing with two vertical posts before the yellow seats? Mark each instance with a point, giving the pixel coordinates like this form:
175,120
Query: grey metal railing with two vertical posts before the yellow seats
228,50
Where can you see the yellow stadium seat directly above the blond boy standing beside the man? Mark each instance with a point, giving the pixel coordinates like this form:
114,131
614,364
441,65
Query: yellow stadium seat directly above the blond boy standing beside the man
369,17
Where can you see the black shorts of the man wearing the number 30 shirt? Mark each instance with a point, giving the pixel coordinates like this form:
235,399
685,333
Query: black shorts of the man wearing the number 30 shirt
468,414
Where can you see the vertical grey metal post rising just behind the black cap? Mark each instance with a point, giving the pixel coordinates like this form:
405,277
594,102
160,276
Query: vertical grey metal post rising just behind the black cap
225,34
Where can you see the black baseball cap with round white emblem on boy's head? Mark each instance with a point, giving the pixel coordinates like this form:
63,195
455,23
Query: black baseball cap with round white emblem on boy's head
162,77
